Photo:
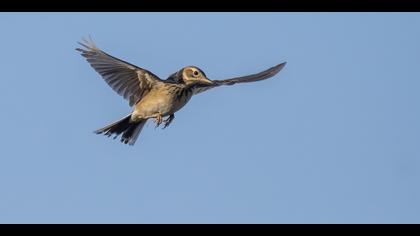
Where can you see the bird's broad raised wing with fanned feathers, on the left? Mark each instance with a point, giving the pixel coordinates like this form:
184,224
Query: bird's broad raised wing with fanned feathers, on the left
126,79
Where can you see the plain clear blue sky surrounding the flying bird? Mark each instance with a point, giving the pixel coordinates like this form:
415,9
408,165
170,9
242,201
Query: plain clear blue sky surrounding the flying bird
333,138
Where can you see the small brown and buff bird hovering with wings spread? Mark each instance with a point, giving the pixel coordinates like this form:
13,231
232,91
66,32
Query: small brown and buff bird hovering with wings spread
149,96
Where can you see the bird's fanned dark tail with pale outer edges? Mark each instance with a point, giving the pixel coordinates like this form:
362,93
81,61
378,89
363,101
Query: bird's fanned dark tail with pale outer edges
130,130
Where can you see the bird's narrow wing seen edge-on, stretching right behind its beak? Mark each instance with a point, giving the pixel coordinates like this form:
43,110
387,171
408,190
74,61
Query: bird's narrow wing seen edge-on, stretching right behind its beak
243,79
